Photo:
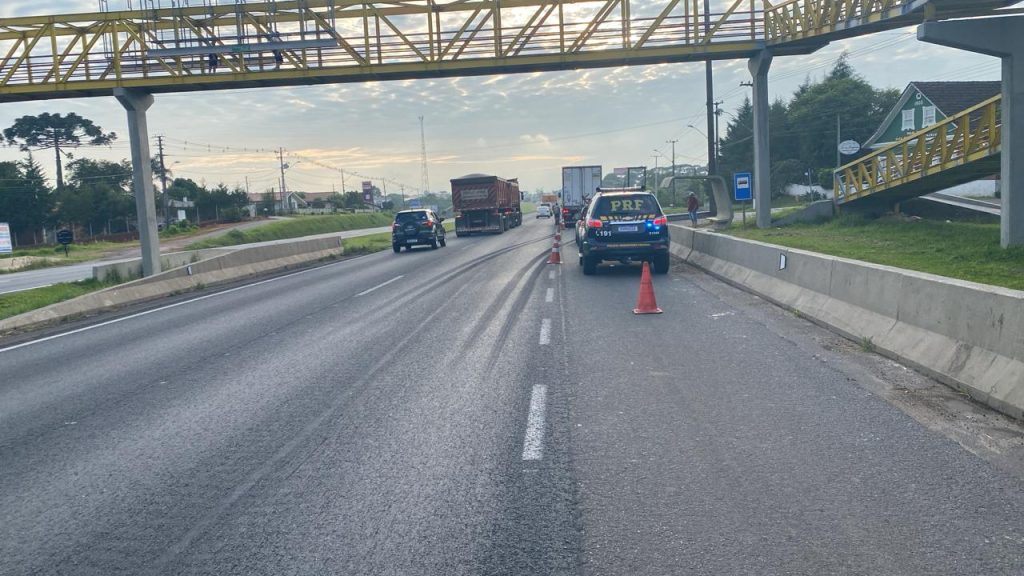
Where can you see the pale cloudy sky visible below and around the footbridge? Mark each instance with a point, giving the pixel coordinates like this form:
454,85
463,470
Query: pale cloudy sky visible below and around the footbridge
526,126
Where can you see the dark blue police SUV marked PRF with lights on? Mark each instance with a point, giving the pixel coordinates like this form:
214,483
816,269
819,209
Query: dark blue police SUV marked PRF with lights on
624,225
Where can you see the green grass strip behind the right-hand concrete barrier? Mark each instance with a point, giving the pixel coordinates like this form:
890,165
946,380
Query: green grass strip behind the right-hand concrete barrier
963,251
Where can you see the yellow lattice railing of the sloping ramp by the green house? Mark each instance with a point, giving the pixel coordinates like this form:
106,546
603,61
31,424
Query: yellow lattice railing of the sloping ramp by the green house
968,137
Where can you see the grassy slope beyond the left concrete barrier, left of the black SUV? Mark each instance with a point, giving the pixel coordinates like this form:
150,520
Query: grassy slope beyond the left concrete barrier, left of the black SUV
297,228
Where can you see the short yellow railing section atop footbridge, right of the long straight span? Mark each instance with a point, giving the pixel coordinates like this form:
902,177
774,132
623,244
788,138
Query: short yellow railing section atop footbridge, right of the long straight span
804,19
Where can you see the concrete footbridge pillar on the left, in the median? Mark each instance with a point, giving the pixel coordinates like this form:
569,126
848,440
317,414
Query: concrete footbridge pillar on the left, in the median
137,104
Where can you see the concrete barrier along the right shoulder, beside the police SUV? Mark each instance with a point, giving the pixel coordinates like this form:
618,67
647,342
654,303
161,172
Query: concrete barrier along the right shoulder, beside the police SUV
968,336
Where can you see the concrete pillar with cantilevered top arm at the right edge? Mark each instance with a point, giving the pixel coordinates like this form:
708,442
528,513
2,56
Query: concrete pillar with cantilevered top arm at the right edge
1002,37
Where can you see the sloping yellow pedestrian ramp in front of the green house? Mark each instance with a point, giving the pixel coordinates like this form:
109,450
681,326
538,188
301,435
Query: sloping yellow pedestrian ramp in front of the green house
961,149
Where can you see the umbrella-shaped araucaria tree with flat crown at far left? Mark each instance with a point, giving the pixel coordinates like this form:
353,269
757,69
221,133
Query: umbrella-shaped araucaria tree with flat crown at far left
53,131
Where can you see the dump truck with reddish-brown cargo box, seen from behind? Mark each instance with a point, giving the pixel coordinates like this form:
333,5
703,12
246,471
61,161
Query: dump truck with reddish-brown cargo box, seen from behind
485,203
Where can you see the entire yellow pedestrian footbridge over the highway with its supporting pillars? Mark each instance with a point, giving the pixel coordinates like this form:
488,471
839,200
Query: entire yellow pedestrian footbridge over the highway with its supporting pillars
134,55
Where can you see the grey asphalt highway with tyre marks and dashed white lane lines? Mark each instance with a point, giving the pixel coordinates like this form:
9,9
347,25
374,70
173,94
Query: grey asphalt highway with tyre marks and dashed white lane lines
473,410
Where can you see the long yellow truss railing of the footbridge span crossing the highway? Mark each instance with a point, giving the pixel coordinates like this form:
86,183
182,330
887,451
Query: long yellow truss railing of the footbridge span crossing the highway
306,40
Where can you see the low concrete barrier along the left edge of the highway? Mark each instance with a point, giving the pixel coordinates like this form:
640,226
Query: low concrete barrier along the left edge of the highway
231,266
